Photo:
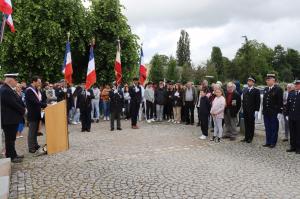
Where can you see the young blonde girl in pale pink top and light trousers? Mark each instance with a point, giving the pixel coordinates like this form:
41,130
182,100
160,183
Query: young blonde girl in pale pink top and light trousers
217,112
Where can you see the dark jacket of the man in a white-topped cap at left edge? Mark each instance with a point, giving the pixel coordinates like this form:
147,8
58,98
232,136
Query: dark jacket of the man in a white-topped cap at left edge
12,107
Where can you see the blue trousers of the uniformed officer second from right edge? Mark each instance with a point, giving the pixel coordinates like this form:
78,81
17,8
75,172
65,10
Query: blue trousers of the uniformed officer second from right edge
272,127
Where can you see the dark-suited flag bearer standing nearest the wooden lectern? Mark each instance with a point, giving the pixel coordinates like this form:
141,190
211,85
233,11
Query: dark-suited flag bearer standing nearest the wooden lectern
84,102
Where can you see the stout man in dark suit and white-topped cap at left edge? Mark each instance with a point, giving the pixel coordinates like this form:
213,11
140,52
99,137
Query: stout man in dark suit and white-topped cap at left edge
12,113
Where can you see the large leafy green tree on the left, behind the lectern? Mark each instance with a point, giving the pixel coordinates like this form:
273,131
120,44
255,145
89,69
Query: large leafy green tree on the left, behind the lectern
38,46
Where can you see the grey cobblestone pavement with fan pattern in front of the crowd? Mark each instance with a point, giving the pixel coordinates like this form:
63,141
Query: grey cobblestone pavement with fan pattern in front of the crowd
157,161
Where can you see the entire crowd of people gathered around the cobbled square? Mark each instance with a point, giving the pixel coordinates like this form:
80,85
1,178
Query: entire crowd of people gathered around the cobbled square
220,106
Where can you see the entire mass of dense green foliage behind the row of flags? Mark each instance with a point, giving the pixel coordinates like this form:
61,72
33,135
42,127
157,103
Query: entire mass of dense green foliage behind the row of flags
38,46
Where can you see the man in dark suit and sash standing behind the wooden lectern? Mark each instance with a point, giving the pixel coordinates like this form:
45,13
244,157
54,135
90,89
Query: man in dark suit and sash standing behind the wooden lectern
34,104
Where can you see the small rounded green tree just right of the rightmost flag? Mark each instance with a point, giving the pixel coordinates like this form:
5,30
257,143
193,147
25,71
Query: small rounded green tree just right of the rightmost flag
156,72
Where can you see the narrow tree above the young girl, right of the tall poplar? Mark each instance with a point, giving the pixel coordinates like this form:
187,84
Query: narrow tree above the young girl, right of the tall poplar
217,60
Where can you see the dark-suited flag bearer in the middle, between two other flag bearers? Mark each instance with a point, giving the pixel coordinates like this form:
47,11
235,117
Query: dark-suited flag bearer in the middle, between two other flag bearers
116,105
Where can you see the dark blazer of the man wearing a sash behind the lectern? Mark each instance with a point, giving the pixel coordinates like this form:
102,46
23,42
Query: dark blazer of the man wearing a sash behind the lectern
34,105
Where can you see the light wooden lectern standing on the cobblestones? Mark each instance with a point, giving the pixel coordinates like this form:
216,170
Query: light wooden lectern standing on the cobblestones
56,128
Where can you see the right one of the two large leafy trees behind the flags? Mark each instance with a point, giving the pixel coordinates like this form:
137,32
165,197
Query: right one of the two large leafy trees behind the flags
107,24
